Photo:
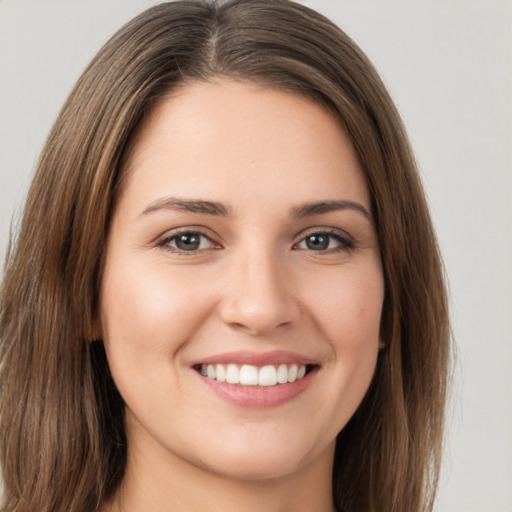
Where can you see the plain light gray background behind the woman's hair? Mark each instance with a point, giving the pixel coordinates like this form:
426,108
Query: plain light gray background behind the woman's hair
448,64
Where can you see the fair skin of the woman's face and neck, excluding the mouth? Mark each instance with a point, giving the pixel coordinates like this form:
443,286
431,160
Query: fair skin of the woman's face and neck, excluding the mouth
253,284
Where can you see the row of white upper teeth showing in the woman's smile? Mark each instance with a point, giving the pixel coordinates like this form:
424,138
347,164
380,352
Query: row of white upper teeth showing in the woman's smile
249,375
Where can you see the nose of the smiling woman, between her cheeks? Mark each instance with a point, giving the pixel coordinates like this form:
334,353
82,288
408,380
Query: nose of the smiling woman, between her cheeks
259,296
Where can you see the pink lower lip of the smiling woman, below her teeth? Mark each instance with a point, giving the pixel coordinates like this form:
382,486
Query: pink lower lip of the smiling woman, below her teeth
258,397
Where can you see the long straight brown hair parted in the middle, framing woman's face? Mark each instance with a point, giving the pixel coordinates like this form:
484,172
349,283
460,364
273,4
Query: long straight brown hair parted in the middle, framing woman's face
62,440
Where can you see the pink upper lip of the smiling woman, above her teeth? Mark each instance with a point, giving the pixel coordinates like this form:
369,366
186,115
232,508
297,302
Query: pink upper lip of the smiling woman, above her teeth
275,357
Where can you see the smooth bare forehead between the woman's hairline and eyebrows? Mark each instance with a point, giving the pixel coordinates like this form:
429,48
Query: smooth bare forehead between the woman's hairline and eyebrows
228,139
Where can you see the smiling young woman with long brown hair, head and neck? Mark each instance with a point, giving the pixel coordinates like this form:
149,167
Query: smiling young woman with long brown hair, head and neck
240,301
